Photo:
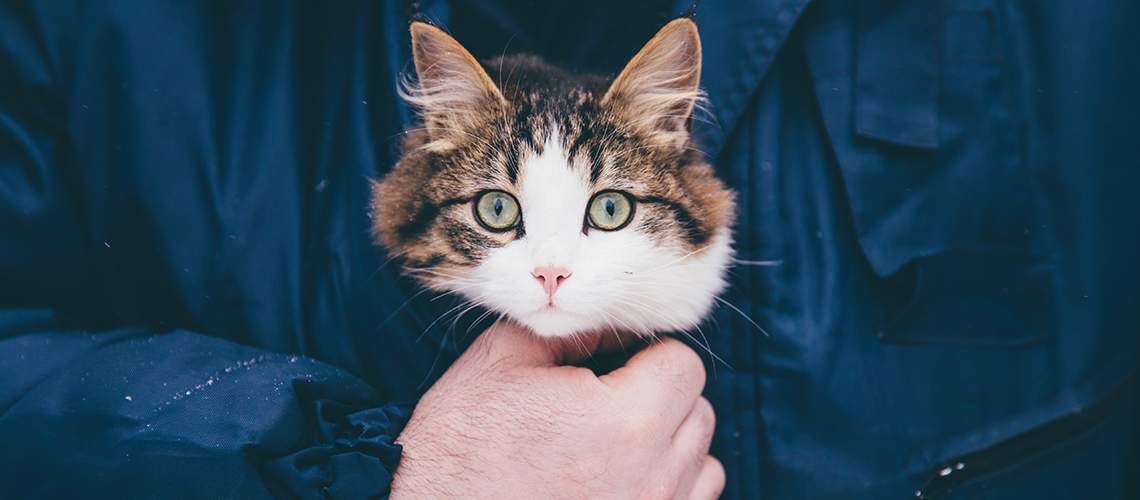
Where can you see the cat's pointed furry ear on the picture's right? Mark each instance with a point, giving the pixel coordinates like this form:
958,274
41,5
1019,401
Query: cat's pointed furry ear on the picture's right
661,86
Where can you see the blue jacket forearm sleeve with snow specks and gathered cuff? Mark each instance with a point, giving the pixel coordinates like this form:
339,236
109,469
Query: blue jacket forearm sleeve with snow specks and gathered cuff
146,414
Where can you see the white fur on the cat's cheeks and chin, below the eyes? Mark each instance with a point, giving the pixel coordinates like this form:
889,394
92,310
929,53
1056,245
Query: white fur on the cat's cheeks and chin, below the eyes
621,282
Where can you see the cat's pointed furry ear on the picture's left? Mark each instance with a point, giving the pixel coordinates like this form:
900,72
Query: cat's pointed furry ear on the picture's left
452,91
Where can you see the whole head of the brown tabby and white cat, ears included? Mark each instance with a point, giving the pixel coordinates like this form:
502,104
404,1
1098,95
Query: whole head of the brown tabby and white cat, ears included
568,204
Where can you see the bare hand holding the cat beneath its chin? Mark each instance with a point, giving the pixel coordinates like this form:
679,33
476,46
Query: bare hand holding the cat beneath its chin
507,420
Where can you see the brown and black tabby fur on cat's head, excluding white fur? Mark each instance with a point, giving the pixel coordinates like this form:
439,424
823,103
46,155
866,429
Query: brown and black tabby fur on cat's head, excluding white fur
422,210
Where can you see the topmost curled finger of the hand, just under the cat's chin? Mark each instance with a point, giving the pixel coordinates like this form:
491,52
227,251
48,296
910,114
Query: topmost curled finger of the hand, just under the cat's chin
664,379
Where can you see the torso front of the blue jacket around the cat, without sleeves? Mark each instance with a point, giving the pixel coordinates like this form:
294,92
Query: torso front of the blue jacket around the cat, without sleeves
225,151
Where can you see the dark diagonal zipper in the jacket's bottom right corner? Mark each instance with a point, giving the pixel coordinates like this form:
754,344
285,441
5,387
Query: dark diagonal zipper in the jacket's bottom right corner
1013,452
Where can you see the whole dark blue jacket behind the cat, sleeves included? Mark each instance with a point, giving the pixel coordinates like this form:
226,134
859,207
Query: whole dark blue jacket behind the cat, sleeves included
191,305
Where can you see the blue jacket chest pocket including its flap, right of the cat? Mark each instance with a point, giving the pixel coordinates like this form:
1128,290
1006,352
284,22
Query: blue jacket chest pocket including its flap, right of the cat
922,113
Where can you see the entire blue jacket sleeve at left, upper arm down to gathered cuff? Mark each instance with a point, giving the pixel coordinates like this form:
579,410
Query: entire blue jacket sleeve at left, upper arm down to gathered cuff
95,412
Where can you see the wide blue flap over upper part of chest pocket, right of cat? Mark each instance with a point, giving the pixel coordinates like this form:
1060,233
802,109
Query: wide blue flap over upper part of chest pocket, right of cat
930,146
